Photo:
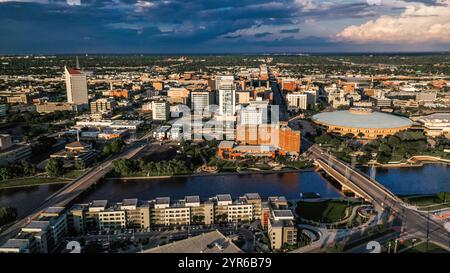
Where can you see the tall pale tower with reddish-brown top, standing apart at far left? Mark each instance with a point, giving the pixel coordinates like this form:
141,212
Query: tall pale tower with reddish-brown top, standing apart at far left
76,86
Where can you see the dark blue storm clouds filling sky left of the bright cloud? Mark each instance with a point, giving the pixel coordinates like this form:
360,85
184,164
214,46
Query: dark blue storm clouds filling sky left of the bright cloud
61,26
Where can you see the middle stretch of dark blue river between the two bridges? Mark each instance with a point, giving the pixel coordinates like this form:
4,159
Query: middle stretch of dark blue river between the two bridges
287,184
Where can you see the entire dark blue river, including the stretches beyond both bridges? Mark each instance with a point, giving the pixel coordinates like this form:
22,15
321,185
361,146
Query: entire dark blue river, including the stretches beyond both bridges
428,179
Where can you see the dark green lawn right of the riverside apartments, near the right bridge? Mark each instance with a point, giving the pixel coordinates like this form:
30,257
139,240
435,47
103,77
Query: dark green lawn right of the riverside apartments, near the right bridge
327,211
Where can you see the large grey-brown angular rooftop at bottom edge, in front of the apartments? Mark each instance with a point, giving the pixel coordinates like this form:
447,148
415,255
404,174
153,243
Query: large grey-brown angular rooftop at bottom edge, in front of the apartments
211,242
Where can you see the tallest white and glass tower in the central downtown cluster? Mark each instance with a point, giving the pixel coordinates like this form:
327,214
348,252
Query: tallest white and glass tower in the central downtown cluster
227,95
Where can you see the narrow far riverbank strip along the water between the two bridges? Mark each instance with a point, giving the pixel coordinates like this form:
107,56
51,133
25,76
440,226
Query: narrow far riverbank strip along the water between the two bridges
210,174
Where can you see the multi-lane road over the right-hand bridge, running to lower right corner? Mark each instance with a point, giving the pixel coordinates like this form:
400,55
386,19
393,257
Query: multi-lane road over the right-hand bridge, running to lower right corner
412,220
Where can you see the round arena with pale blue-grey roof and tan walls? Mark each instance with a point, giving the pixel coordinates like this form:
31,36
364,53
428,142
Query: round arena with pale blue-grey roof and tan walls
362,122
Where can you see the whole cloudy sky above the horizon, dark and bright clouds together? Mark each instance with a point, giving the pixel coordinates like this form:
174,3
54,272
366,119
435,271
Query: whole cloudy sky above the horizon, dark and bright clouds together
223,26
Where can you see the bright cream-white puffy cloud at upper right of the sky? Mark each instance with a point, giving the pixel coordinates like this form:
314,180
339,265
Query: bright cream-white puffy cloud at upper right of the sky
418,23
